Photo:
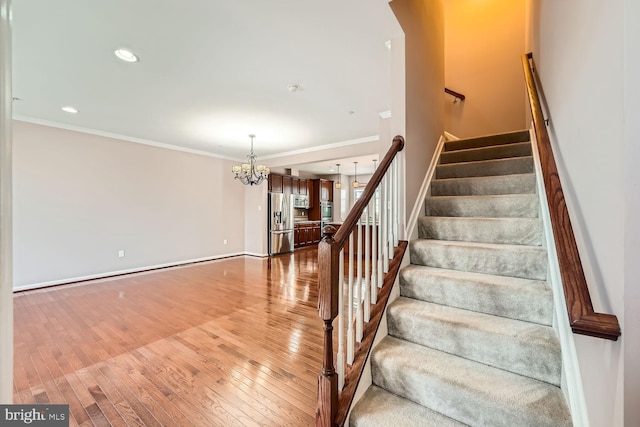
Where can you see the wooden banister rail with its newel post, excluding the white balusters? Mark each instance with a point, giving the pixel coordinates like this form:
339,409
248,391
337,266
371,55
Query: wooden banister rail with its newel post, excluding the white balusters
328,281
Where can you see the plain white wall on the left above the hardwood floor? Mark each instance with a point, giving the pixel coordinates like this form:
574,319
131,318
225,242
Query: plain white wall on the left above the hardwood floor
80,198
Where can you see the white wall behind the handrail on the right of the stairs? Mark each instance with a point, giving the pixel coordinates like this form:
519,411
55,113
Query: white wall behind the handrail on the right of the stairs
578,47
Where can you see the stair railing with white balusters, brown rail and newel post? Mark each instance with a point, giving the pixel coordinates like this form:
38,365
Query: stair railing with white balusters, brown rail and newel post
373,222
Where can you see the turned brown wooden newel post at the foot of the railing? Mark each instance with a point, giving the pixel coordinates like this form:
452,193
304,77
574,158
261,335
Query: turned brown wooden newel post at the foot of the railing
328,260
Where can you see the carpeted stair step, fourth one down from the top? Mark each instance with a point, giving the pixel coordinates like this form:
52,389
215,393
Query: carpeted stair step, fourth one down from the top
486,185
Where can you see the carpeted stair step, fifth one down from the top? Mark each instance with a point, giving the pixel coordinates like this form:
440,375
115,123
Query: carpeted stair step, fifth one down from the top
494,206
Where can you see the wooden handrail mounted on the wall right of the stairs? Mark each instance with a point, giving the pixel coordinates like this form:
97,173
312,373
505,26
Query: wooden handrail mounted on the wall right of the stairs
582,318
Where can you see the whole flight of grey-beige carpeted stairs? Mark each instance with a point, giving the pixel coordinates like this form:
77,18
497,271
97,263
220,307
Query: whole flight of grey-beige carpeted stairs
470,339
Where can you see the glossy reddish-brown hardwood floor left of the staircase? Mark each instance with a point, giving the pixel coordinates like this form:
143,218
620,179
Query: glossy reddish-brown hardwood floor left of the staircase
234,342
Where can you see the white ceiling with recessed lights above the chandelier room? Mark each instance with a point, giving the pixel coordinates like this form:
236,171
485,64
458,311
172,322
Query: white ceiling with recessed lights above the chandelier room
210,71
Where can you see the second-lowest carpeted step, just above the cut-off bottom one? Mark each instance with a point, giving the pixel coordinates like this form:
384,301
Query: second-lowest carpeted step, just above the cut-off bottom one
470,392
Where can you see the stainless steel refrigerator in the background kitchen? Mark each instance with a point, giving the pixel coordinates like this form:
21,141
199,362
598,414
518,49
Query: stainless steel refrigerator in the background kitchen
280,223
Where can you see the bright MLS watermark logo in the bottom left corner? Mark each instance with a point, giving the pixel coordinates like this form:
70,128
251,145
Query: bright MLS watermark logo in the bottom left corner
34,415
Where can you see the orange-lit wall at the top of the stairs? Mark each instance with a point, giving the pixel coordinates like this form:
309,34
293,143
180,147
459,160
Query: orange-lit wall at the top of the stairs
483,45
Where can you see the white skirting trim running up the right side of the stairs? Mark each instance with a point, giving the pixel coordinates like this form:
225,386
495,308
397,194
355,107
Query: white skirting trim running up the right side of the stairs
572,380
